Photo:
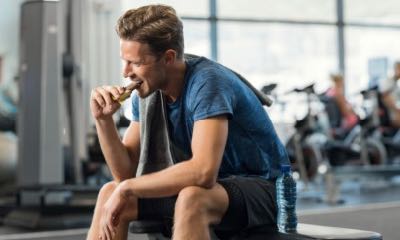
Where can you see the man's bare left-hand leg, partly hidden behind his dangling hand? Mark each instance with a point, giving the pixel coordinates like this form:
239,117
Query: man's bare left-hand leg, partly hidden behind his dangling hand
128,215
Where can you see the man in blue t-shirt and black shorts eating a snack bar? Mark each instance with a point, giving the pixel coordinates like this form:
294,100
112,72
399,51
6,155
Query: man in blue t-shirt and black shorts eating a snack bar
213,116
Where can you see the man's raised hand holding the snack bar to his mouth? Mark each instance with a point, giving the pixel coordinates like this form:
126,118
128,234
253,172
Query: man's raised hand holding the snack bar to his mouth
102,103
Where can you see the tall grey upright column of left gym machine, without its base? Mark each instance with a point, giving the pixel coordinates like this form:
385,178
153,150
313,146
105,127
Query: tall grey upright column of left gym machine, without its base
39,126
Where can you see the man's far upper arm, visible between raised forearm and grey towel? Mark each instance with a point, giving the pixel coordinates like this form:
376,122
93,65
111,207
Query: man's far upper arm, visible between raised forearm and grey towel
131,141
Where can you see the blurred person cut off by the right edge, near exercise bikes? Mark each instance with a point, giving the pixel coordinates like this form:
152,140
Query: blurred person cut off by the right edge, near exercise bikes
390,95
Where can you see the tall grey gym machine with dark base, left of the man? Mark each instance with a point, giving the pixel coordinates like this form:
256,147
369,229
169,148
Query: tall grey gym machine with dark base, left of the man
43,198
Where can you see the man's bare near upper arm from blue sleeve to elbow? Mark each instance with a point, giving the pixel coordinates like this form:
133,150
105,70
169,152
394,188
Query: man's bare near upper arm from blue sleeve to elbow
208,145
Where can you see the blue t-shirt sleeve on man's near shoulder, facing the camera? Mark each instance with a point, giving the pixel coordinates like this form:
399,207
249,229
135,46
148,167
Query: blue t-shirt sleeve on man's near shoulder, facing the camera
212,95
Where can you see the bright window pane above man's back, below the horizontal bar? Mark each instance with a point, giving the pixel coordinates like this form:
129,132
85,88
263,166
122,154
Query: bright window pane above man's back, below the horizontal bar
290,55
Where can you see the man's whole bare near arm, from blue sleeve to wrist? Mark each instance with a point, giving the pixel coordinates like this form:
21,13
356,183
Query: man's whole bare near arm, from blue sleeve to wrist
208,144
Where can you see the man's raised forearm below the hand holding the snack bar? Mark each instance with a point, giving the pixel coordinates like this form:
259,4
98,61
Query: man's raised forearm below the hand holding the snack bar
114,151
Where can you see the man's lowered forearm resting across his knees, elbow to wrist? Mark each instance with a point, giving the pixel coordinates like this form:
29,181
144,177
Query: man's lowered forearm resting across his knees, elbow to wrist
168,182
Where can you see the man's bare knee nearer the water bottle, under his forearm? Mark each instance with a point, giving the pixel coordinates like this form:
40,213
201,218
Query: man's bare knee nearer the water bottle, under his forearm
191,201
